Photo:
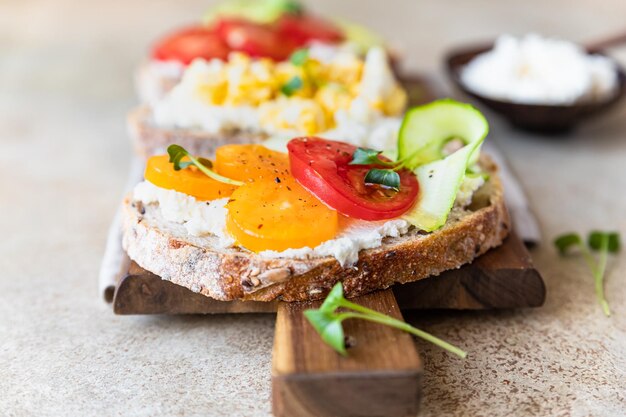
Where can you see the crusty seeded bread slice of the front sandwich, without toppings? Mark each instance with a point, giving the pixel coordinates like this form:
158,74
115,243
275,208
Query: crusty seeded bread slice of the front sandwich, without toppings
165,249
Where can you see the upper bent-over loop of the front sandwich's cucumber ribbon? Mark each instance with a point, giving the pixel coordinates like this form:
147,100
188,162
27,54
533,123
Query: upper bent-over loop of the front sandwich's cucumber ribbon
426,129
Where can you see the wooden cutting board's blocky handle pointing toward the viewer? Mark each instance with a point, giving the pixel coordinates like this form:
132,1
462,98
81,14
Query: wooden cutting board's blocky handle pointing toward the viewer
381,376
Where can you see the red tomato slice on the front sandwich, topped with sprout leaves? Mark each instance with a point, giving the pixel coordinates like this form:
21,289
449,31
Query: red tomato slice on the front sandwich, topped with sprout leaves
322,166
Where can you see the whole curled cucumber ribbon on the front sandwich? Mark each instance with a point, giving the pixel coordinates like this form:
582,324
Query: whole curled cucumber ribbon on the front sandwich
424,132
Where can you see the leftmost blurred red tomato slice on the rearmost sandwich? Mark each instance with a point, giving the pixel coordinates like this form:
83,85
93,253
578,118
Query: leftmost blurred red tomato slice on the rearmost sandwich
190,43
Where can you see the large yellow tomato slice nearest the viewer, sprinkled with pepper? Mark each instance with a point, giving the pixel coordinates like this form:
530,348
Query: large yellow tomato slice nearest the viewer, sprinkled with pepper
272,215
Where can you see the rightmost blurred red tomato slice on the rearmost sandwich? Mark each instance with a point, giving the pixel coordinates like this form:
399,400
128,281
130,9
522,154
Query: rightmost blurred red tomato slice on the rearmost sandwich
305,28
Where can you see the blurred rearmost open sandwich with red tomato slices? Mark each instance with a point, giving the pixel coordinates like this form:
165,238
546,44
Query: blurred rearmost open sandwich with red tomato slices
271,29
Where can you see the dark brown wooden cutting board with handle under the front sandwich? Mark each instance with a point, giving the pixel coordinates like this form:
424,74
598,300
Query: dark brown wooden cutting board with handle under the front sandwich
383,372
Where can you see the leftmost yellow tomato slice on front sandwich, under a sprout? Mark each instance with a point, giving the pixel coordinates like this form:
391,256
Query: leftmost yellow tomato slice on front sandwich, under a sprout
191,181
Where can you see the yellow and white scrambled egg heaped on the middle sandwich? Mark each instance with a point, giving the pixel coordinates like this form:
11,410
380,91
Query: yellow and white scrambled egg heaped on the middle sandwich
304,98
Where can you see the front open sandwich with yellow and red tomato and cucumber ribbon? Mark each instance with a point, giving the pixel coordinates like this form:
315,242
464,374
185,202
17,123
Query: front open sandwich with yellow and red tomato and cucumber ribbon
260,224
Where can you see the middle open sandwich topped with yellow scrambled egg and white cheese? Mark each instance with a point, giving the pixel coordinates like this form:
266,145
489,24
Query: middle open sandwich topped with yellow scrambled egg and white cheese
331,92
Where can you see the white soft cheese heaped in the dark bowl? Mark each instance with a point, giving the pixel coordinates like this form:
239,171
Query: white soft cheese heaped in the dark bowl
537,70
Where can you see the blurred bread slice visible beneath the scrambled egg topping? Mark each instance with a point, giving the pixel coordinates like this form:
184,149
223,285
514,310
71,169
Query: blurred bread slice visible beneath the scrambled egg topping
150,139
